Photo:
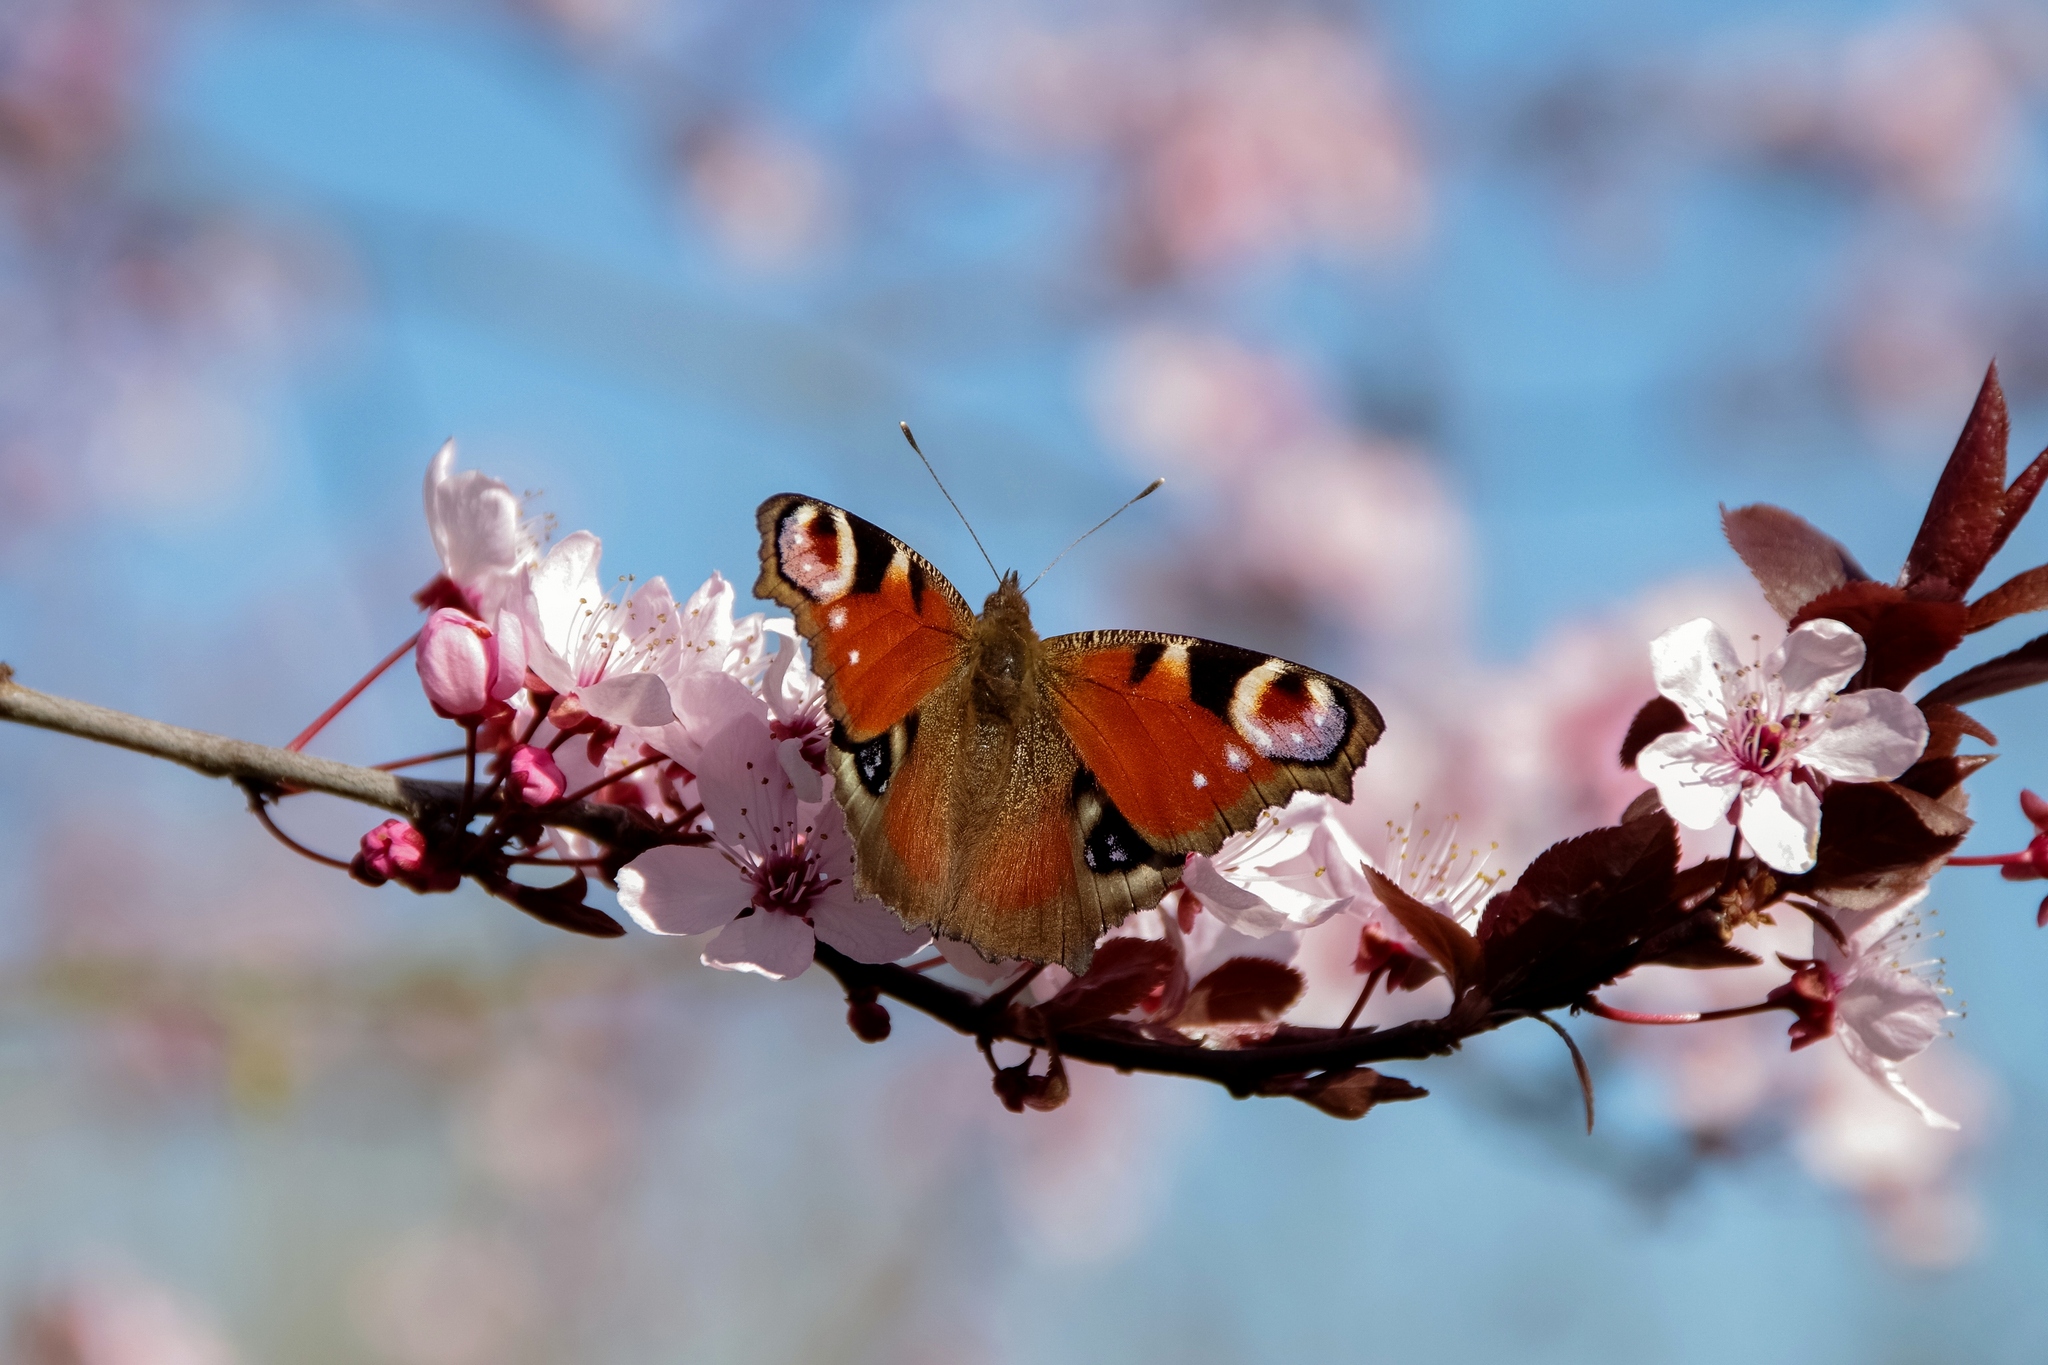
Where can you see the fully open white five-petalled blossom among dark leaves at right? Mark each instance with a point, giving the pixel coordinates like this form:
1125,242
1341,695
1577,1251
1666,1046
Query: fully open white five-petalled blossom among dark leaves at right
1766,738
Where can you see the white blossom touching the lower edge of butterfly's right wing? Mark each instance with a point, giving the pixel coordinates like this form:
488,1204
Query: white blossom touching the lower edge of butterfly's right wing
1291,871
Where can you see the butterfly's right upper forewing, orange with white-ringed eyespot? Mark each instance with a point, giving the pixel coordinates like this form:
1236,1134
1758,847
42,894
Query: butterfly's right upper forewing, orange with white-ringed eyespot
1191,740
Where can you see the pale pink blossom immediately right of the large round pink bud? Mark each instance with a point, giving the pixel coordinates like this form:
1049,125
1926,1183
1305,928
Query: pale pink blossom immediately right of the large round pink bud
607,656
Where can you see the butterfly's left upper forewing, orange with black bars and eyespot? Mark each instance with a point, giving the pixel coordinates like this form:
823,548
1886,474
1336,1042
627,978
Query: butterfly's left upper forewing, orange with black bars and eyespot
886,627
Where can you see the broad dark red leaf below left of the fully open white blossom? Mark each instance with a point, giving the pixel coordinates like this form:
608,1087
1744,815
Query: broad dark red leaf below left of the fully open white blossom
1582,914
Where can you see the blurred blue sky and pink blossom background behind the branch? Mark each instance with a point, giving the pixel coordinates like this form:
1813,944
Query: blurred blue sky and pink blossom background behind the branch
1449,324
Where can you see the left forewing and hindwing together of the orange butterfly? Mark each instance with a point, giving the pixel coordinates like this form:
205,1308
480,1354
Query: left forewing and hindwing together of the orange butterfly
890,644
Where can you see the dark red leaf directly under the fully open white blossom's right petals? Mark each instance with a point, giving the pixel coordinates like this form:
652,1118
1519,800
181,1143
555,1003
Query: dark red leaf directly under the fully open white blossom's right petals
1879,842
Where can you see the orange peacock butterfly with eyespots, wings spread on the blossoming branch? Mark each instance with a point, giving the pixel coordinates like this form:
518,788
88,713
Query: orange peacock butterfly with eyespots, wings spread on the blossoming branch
1025,795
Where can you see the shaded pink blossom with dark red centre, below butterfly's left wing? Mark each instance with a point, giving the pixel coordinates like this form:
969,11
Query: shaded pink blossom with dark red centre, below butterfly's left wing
777,879
